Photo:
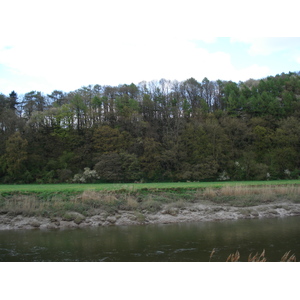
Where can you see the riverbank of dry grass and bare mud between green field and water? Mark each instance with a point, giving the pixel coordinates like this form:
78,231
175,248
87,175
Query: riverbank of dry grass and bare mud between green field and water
94,208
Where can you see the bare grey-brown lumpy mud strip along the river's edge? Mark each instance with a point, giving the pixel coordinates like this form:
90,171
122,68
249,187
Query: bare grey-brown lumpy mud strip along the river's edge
193,212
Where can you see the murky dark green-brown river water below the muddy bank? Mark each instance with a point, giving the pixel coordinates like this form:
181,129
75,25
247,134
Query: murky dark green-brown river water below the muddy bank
173,242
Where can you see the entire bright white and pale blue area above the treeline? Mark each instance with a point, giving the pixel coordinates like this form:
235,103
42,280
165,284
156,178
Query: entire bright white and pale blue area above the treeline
64,45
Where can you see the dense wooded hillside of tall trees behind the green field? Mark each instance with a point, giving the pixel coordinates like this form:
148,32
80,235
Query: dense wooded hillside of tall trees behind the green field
154,131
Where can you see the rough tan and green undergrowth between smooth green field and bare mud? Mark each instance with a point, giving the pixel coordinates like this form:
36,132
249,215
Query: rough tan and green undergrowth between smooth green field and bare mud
47,203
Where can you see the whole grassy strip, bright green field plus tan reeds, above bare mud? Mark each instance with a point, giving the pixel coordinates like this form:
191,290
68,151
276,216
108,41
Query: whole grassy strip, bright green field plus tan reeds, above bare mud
88,200
